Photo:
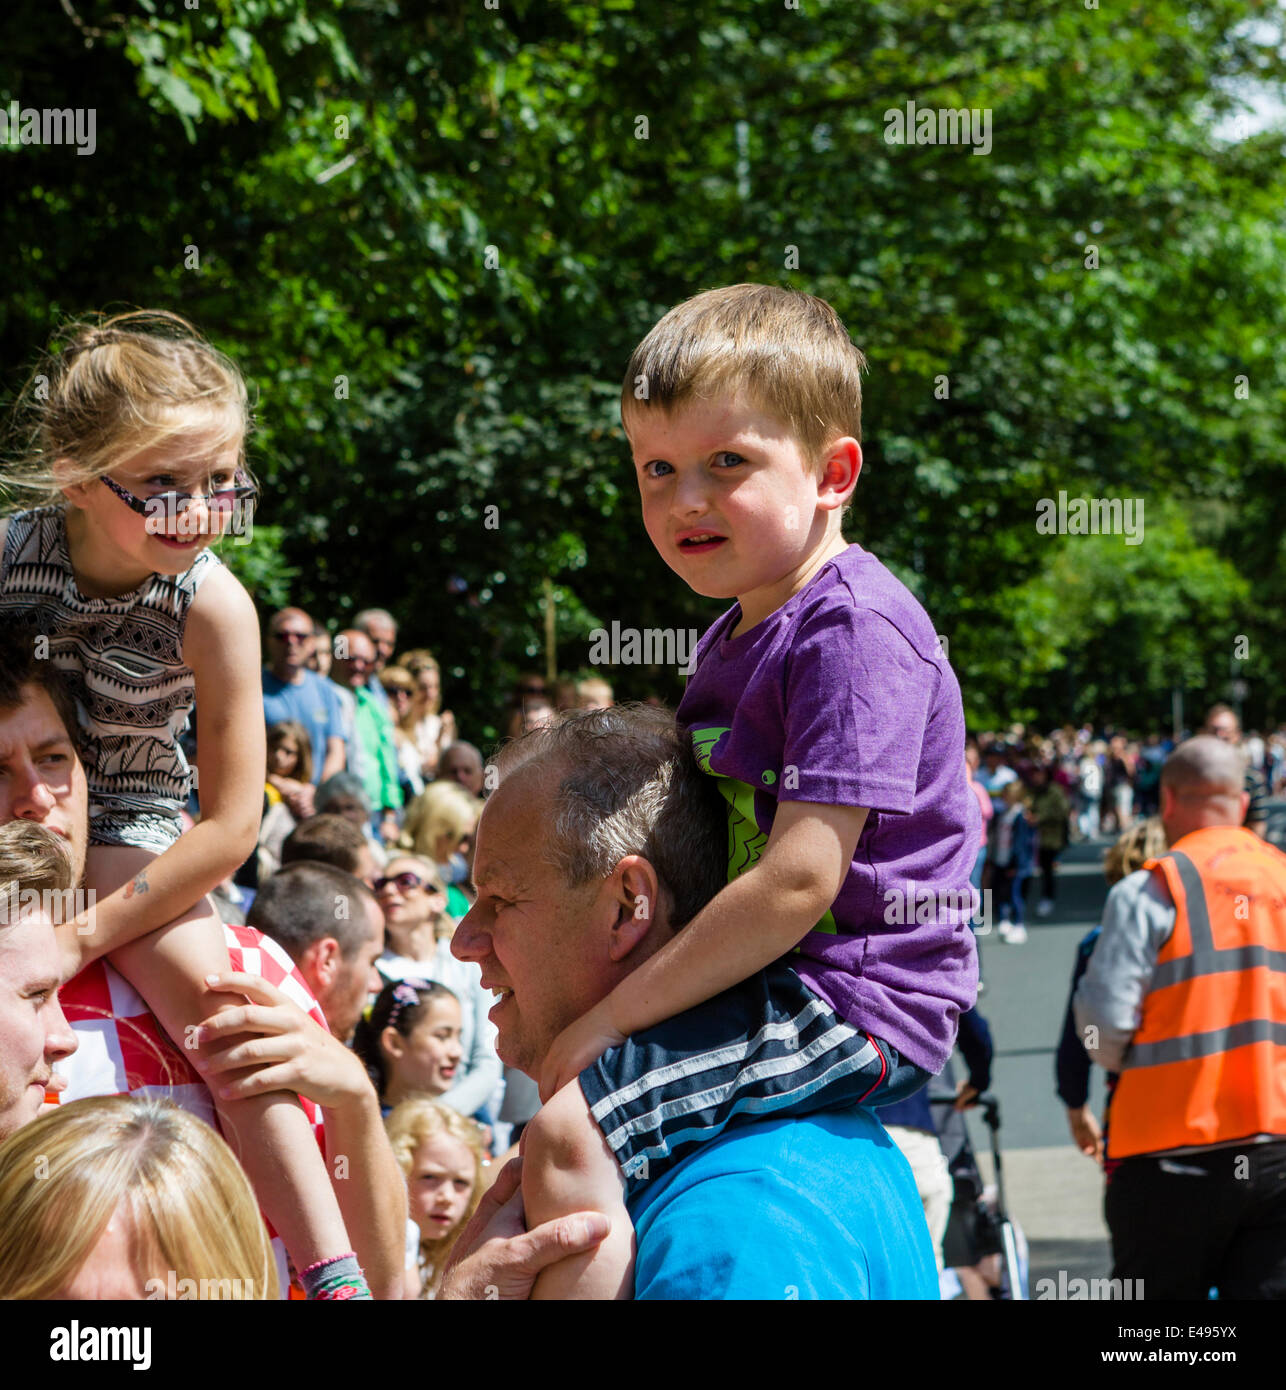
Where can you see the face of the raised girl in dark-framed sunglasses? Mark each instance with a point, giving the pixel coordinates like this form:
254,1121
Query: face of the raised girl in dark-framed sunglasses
163,544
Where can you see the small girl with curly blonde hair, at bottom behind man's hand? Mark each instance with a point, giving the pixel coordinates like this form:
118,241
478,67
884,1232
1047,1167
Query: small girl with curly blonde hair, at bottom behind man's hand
441,1156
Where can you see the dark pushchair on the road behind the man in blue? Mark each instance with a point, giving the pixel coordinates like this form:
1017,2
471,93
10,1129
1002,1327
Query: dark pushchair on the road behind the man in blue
979,1225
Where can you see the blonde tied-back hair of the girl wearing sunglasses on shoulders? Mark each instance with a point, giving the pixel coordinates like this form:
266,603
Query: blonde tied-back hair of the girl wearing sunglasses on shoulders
112,389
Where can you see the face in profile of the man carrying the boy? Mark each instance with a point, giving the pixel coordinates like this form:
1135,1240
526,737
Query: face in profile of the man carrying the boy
532,935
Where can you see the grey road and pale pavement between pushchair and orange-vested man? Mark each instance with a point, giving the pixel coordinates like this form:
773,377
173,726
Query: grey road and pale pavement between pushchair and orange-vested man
1053,1191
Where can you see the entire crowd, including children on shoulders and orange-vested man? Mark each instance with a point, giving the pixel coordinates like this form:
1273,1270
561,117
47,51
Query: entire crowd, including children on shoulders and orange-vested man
689,957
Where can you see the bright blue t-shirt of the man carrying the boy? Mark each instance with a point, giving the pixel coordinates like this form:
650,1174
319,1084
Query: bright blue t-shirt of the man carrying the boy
821,1207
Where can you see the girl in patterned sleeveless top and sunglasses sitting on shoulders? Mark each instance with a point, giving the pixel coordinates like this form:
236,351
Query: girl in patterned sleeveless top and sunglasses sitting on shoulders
133,443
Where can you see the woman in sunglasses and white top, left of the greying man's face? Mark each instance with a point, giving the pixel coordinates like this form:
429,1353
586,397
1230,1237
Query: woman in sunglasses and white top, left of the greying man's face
419,931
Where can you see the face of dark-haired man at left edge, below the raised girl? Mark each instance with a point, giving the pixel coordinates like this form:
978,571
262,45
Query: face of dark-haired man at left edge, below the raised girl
41,776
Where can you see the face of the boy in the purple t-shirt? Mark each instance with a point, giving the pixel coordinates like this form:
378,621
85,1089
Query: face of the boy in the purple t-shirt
731,502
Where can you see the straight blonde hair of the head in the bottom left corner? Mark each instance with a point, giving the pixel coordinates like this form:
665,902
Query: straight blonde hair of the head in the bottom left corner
191,1207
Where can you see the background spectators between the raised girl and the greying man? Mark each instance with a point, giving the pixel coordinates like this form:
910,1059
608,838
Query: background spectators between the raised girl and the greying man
366,772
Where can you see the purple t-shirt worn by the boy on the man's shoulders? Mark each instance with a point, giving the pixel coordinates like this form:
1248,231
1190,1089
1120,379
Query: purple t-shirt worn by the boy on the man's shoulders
843,697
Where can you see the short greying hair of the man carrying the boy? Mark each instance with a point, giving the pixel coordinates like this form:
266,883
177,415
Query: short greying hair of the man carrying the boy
629,785
